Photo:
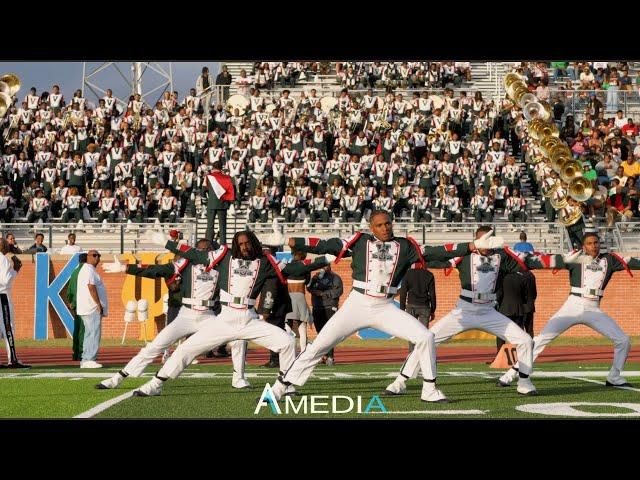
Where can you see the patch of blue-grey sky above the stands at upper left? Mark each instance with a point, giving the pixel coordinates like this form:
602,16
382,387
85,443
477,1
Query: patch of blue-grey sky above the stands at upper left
68,75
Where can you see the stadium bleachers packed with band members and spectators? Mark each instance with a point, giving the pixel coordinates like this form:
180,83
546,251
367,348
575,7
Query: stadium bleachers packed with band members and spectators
141,149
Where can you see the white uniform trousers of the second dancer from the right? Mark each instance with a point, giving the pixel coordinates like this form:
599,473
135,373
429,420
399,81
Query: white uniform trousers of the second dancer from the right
469,316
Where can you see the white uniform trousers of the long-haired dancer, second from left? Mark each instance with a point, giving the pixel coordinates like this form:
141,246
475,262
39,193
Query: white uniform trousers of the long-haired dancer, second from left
232,324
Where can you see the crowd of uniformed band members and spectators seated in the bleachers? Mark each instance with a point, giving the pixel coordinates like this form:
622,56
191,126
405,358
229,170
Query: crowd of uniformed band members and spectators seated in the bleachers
423,158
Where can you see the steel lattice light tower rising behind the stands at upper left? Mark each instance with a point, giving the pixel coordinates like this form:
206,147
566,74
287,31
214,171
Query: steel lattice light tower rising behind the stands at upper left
156,76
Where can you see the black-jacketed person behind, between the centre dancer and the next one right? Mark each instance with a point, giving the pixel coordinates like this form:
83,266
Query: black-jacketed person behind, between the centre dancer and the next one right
418,295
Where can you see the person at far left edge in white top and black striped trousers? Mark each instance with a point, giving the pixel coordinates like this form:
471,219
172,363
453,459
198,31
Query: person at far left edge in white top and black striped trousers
9,268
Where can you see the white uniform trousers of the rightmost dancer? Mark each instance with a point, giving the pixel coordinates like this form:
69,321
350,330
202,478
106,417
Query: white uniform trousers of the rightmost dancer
577,310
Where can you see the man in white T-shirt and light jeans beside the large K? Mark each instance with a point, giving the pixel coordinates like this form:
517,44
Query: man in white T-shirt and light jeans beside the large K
93,304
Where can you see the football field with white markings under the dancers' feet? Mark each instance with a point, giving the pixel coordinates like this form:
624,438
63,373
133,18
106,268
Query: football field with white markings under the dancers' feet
566,390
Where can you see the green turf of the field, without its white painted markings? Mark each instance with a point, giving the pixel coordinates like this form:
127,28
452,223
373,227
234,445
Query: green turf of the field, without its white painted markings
469,386
